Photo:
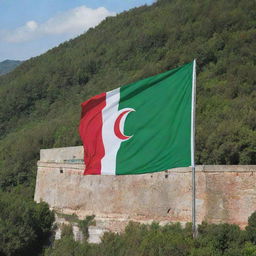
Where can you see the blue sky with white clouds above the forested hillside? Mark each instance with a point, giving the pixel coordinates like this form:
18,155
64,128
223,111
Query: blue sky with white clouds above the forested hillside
31,27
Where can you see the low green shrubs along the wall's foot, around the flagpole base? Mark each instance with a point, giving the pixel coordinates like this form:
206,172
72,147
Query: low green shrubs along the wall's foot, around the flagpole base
172,239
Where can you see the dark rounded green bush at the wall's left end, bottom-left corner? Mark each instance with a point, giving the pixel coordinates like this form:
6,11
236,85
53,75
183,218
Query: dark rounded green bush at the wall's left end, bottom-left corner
25,226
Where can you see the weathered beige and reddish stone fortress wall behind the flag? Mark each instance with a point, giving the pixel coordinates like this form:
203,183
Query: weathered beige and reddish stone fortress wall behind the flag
224,193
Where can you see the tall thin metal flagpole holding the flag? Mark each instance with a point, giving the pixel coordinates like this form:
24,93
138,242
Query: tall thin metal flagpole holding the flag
193,115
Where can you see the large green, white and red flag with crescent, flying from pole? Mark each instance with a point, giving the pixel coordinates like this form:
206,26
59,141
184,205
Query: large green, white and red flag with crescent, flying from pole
140,127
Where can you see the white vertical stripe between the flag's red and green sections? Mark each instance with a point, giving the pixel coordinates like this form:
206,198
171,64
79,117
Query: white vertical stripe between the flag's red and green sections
110,141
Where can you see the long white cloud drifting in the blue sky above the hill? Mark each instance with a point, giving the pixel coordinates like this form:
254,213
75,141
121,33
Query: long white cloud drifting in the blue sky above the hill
72,22
